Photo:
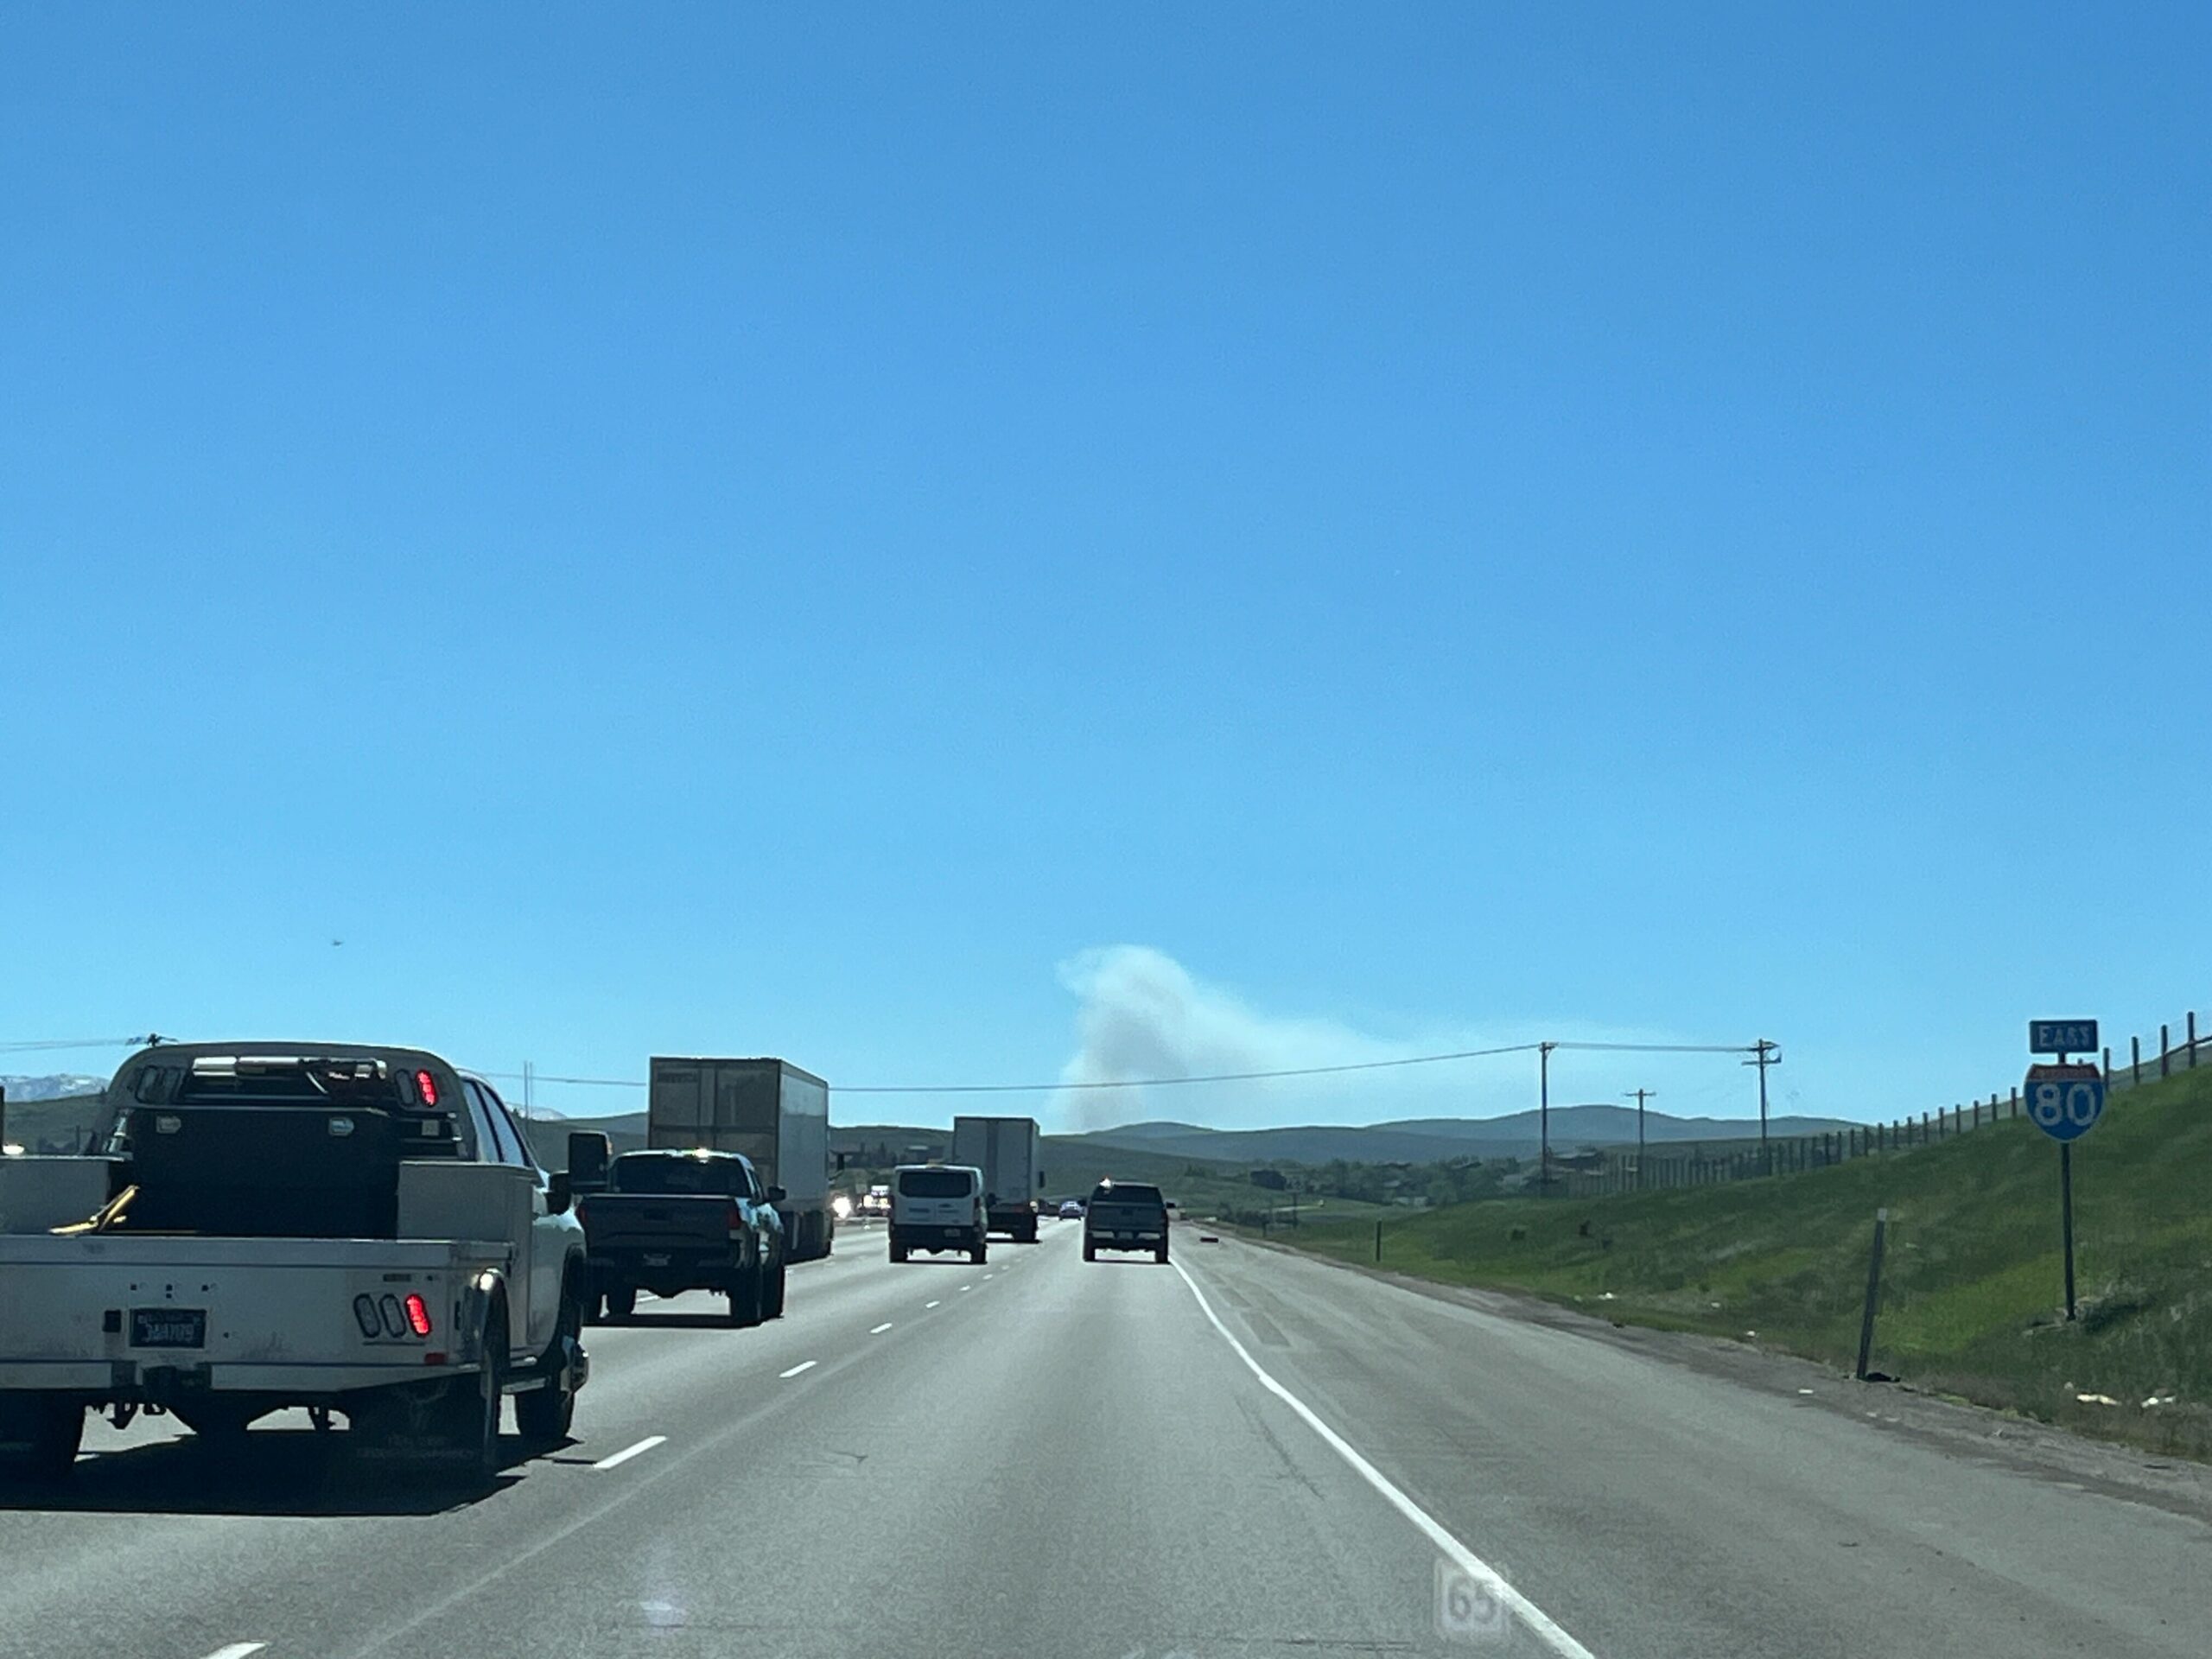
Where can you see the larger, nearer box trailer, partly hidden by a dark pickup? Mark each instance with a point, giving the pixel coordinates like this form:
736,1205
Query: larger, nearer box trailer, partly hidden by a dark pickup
766,1109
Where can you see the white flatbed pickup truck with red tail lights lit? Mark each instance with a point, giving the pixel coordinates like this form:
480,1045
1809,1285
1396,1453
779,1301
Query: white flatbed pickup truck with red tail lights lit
348,1229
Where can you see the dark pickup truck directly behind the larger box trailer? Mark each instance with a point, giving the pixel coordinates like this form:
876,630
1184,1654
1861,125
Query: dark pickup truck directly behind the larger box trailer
674,1222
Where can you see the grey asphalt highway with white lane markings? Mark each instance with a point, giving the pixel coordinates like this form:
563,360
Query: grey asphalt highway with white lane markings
1238,1454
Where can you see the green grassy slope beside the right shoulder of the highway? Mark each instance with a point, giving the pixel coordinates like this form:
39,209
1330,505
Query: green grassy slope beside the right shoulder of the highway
1972,1284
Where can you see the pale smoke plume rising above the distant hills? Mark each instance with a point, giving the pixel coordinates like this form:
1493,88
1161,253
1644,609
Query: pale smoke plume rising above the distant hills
1145,1016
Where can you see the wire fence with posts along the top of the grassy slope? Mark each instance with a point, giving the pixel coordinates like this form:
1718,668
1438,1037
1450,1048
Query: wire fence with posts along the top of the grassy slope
1605,1171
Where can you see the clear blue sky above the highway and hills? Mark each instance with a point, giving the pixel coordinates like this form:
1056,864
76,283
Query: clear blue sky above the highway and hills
735,532
